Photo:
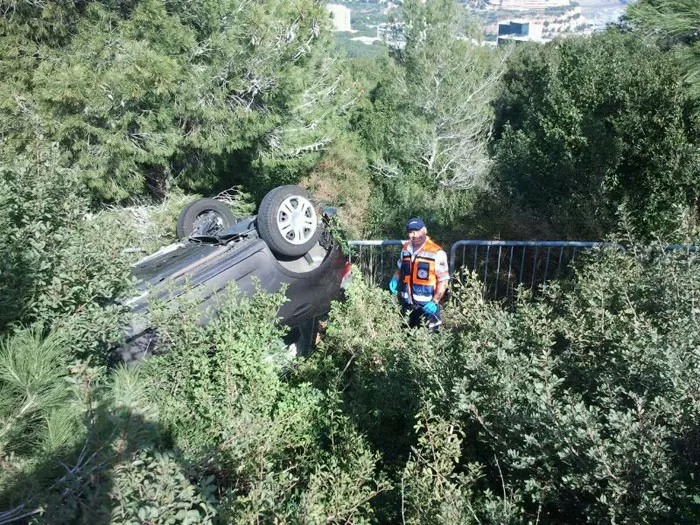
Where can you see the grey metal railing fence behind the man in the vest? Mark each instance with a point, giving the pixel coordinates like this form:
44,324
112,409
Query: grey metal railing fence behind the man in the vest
500,265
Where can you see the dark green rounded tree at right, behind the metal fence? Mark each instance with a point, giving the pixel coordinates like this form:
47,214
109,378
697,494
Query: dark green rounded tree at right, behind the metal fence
585,125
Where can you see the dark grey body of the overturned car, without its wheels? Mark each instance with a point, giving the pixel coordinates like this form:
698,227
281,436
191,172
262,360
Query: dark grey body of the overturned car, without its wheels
202,267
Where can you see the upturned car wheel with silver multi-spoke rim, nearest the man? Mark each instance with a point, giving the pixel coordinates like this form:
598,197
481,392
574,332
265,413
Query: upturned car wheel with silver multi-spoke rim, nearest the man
287,221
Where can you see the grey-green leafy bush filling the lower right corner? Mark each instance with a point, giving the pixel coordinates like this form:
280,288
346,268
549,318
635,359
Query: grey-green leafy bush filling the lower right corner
584,395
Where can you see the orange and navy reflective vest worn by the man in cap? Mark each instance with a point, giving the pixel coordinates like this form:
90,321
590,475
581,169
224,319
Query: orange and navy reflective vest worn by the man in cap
418,274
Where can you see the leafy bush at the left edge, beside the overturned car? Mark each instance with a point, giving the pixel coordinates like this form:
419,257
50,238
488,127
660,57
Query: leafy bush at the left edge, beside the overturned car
54,261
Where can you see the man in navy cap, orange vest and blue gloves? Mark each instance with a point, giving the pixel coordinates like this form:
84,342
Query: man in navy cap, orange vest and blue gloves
422,277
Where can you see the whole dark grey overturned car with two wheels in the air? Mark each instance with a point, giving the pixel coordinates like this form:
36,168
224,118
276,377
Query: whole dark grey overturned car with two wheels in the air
288,243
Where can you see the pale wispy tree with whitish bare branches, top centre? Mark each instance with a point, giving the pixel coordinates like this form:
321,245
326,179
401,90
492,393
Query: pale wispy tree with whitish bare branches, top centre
434,116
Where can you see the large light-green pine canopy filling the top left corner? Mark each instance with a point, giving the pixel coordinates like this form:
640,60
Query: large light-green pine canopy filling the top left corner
149,91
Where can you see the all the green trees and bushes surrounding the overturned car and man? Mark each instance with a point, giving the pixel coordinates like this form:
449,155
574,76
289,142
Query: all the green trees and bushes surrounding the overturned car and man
579,404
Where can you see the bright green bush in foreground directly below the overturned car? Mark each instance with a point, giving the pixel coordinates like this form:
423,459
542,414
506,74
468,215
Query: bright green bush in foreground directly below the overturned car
276,451
